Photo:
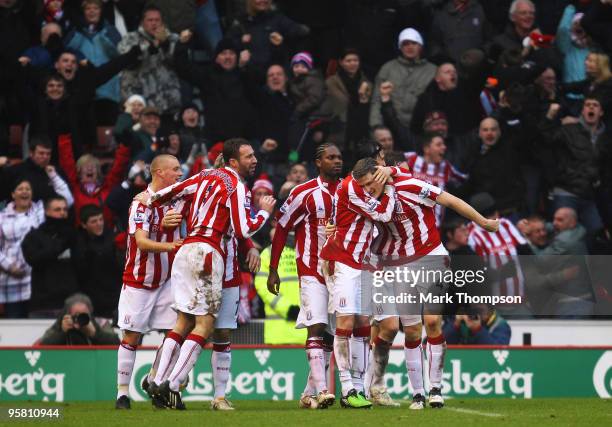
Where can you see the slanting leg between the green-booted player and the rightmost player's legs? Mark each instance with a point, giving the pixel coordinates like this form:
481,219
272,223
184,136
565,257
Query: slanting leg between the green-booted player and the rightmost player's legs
386,330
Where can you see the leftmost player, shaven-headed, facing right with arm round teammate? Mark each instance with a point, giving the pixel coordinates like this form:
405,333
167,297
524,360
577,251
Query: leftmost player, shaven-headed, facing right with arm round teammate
146,295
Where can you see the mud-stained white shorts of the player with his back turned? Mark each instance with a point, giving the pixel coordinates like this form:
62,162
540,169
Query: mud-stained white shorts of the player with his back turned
197,275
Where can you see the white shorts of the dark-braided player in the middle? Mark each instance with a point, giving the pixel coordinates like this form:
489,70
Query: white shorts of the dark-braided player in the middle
314,301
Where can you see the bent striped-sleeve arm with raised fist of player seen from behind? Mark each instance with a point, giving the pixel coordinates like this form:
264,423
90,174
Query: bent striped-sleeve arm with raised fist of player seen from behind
243,225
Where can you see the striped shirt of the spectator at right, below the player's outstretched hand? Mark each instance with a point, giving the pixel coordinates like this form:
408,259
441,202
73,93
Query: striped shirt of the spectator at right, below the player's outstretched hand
497,249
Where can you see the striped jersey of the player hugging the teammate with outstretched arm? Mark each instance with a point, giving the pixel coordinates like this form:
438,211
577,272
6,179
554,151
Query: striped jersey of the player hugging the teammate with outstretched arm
355,214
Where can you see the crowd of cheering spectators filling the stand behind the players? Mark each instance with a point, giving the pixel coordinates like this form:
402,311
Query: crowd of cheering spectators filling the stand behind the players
508,98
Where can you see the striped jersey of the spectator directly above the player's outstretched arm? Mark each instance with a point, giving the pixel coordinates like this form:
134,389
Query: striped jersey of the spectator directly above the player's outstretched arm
437,174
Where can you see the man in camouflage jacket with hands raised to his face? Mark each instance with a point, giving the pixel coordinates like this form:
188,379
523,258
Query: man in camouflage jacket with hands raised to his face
155,78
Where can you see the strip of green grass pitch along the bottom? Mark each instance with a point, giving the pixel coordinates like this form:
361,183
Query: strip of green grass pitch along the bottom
458,412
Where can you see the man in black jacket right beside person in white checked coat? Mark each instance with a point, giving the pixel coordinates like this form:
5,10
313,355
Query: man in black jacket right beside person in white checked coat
49,250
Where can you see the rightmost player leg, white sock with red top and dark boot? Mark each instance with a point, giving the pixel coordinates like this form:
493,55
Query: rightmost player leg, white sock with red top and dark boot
436,349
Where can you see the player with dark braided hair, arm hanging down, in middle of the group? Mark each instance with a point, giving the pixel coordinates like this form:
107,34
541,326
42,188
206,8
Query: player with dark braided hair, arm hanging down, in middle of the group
307,211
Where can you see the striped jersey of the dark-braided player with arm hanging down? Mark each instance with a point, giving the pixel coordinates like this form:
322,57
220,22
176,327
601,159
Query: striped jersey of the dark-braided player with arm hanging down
307,210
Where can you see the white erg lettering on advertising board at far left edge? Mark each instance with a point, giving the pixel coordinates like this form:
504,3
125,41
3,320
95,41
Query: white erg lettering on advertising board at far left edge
37,385
